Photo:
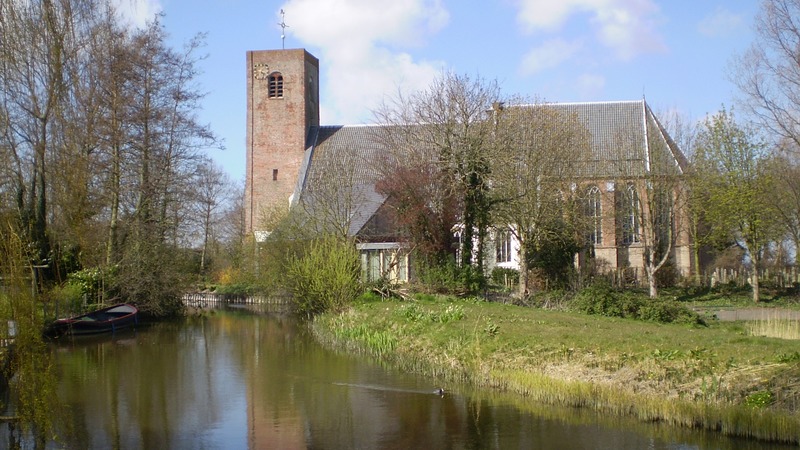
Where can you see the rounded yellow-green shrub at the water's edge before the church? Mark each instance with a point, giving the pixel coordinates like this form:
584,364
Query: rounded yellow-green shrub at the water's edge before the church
324,276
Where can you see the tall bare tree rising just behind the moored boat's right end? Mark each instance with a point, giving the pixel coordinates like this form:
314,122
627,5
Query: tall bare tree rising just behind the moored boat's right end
162,152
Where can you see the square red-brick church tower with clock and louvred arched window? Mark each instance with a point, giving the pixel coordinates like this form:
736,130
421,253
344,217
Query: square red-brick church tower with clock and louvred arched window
282,108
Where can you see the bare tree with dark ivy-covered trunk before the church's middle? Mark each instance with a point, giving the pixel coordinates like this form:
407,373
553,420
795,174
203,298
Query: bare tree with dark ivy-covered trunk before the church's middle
450,120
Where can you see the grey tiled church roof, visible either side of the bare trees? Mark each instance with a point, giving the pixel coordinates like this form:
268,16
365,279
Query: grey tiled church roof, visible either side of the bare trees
626,141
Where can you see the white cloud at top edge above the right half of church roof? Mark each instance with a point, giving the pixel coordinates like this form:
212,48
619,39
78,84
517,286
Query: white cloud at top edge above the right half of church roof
625,26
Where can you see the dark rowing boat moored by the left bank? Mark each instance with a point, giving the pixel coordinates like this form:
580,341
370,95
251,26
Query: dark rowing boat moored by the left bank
103,320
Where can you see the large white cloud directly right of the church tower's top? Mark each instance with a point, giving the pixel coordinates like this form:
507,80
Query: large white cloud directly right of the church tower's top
361,44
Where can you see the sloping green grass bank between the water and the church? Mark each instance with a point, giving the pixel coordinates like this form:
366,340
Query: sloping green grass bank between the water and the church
718,377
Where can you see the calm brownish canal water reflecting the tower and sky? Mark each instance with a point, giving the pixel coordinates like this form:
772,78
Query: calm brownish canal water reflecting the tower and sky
238,379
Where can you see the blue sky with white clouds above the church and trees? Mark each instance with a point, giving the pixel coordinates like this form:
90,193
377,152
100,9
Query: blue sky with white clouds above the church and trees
677,54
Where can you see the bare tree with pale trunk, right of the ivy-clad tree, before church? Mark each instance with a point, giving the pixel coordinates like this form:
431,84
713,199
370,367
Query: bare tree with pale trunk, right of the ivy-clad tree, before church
534,172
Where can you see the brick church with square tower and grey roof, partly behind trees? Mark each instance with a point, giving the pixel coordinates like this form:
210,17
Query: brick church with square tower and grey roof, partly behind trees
290,156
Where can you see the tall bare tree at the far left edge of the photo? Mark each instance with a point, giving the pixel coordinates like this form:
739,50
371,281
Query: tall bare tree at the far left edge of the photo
36,46
